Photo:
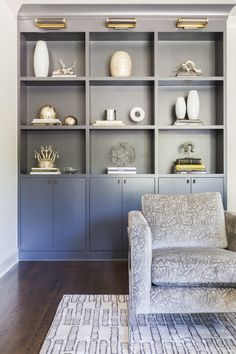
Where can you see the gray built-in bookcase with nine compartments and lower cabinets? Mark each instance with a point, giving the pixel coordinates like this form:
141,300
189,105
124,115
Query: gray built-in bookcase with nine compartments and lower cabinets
84,216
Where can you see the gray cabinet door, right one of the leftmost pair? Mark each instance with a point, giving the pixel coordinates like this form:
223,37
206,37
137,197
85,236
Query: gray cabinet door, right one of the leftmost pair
69,214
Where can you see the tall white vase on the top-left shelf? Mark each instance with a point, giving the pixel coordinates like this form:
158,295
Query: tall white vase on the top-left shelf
41,59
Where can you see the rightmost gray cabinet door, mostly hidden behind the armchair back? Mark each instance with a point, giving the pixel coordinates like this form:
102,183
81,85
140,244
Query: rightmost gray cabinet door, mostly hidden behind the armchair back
208,184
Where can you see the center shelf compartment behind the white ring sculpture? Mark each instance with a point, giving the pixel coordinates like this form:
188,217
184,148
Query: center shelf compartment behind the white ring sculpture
122,98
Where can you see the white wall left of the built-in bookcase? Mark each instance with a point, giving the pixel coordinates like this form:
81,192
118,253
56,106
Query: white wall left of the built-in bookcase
8,160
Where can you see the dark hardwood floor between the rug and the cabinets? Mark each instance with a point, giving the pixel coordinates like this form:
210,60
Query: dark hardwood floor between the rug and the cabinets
31,292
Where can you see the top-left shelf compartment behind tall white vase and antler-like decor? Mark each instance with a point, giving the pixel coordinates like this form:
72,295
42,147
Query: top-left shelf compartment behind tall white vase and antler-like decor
61,45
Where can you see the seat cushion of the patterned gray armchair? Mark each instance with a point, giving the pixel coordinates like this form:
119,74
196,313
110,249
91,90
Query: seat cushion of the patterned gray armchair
193,266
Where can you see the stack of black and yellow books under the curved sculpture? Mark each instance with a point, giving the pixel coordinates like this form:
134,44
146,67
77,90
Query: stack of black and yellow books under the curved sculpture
189,165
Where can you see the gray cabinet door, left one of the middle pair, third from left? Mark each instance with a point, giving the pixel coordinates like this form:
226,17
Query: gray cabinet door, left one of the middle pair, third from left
105,214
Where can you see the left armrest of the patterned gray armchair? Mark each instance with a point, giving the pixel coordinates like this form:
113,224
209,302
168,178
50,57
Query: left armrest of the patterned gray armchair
140,260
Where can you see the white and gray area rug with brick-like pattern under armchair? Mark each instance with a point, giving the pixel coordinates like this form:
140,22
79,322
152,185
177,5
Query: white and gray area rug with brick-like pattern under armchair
97,324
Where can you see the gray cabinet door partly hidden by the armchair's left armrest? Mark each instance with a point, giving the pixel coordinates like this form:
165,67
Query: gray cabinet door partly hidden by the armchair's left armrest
133,190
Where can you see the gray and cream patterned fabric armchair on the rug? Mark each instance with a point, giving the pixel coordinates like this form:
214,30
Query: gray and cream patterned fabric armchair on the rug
182,255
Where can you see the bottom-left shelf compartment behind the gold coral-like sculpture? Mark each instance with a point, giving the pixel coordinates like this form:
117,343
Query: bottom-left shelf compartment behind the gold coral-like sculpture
71,147
